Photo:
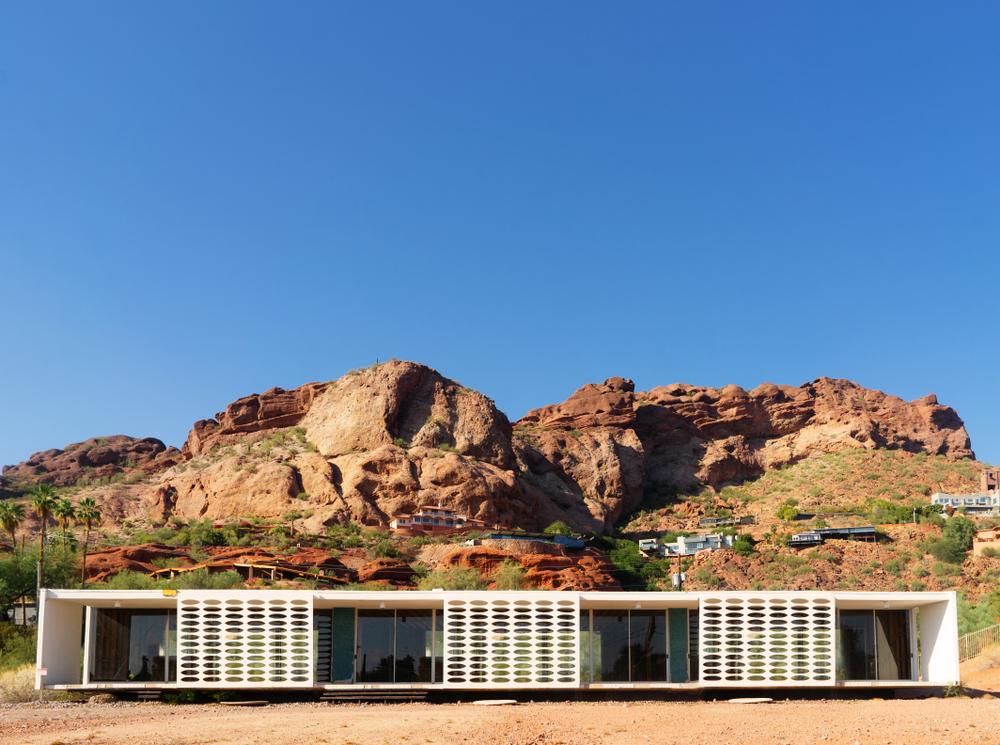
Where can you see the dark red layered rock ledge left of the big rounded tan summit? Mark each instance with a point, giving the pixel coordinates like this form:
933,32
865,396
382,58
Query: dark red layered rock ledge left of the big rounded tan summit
273,409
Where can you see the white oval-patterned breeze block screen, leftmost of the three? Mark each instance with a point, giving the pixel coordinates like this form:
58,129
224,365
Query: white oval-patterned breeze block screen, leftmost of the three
229,640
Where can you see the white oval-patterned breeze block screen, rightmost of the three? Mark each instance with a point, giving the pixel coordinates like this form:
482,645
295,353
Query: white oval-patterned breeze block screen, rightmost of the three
765,640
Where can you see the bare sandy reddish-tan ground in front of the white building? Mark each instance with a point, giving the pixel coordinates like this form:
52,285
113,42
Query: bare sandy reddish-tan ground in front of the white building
913,722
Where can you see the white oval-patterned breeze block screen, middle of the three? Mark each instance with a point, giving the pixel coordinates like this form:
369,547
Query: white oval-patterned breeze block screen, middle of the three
519,640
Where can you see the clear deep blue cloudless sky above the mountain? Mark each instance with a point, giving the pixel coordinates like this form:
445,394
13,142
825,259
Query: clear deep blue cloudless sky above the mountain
199,201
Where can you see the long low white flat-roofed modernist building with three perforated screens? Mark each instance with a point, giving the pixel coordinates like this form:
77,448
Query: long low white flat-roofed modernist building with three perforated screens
336,640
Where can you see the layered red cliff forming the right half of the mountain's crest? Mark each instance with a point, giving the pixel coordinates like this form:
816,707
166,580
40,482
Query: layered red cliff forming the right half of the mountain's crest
689,435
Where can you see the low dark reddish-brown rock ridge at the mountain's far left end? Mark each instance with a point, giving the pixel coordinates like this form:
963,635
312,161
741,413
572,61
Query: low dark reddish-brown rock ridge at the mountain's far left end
94,458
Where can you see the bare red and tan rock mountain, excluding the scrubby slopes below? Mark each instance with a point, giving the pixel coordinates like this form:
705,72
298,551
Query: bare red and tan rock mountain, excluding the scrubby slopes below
388,439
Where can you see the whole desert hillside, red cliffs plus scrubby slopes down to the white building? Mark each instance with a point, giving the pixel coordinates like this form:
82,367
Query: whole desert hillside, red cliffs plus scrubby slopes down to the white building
611,461
